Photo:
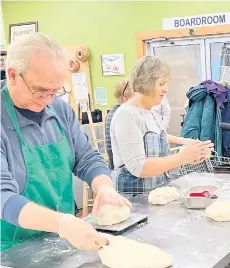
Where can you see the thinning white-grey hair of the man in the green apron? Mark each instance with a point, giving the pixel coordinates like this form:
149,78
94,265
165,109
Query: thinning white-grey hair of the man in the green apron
24,47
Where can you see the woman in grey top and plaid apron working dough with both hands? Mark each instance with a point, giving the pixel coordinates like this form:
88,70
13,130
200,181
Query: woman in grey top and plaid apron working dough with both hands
139,141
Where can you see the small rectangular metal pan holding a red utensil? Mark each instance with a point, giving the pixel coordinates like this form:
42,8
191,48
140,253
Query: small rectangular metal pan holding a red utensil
199,202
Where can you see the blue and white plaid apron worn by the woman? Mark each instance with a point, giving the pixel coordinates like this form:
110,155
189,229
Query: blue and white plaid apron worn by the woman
155,146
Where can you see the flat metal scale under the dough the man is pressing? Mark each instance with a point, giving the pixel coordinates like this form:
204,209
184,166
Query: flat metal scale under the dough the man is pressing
134,220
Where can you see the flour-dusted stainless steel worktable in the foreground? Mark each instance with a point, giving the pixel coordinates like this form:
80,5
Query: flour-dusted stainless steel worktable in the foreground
189,236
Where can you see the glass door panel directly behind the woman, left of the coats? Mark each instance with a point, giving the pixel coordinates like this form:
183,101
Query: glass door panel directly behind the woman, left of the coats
187,61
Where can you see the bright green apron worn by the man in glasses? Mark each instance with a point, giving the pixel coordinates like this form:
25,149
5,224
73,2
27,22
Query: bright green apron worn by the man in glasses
49,179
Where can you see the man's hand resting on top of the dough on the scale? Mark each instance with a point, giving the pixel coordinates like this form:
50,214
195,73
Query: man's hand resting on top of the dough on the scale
108,195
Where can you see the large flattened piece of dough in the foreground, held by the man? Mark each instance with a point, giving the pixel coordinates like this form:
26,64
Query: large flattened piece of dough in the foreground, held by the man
126,253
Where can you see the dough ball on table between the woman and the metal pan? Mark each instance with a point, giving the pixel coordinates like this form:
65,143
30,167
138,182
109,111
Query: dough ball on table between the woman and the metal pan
163,195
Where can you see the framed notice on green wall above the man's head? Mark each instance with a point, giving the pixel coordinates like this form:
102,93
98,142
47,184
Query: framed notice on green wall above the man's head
19,29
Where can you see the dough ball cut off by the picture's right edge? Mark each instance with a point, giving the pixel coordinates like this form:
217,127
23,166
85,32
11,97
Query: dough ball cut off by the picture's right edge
219,210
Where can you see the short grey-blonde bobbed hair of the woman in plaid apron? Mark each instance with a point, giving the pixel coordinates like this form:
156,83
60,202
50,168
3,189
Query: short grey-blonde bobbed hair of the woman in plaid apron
146,72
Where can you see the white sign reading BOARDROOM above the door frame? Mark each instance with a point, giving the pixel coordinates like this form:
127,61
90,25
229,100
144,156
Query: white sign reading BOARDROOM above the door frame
196,21
